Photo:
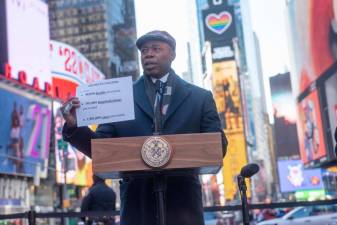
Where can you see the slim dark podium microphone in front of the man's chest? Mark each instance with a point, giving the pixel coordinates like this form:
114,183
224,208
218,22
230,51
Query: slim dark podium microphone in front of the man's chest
159,87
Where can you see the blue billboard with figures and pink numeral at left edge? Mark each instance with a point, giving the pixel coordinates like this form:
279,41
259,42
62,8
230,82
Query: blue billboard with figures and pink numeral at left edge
25,132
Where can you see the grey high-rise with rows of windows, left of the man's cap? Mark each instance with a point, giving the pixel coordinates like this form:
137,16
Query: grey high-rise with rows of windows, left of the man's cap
104,31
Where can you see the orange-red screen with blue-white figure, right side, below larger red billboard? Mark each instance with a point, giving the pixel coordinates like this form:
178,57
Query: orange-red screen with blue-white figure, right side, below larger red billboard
310,130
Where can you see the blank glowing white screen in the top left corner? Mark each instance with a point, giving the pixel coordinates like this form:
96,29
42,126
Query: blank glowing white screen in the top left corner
25,34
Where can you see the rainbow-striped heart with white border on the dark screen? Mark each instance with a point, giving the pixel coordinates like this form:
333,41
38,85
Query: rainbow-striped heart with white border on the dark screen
218,23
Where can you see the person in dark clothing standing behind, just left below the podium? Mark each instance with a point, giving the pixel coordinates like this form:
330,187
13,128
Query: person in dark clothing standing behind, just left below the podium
99,198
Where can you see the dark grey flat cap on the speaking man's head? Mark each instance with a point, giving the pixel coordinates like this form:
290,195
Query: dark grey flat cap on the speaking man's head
157,35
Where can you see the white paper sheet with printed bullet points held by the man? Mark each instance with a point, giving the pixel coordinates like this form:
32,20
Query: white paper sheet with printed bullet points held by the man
105,101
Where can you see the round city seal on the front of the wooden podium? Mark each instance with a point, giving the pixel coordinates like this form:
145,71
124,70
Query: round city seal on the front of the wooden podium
156,152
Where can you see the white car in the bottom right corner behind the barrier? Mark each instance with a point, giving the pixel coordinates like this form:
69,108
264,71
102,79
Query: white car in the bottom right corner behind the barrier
309,215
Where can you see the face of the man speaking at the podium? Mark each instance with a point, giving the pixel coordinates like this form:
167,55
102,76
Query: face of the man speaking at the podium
156,57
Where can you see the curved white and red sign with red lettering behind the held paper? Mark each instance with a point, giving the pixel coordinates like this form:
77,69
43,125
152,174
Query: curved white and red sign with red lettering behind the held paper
69,69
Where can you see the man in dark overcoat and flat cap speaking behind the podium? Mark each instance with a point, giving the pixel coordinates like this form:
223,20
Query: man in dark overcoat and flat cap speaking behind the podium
164,104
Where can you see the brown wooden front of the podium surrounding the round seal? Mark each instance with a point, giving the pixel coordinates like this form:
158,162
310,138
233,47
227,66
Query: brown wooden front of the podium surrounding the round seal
120,157
